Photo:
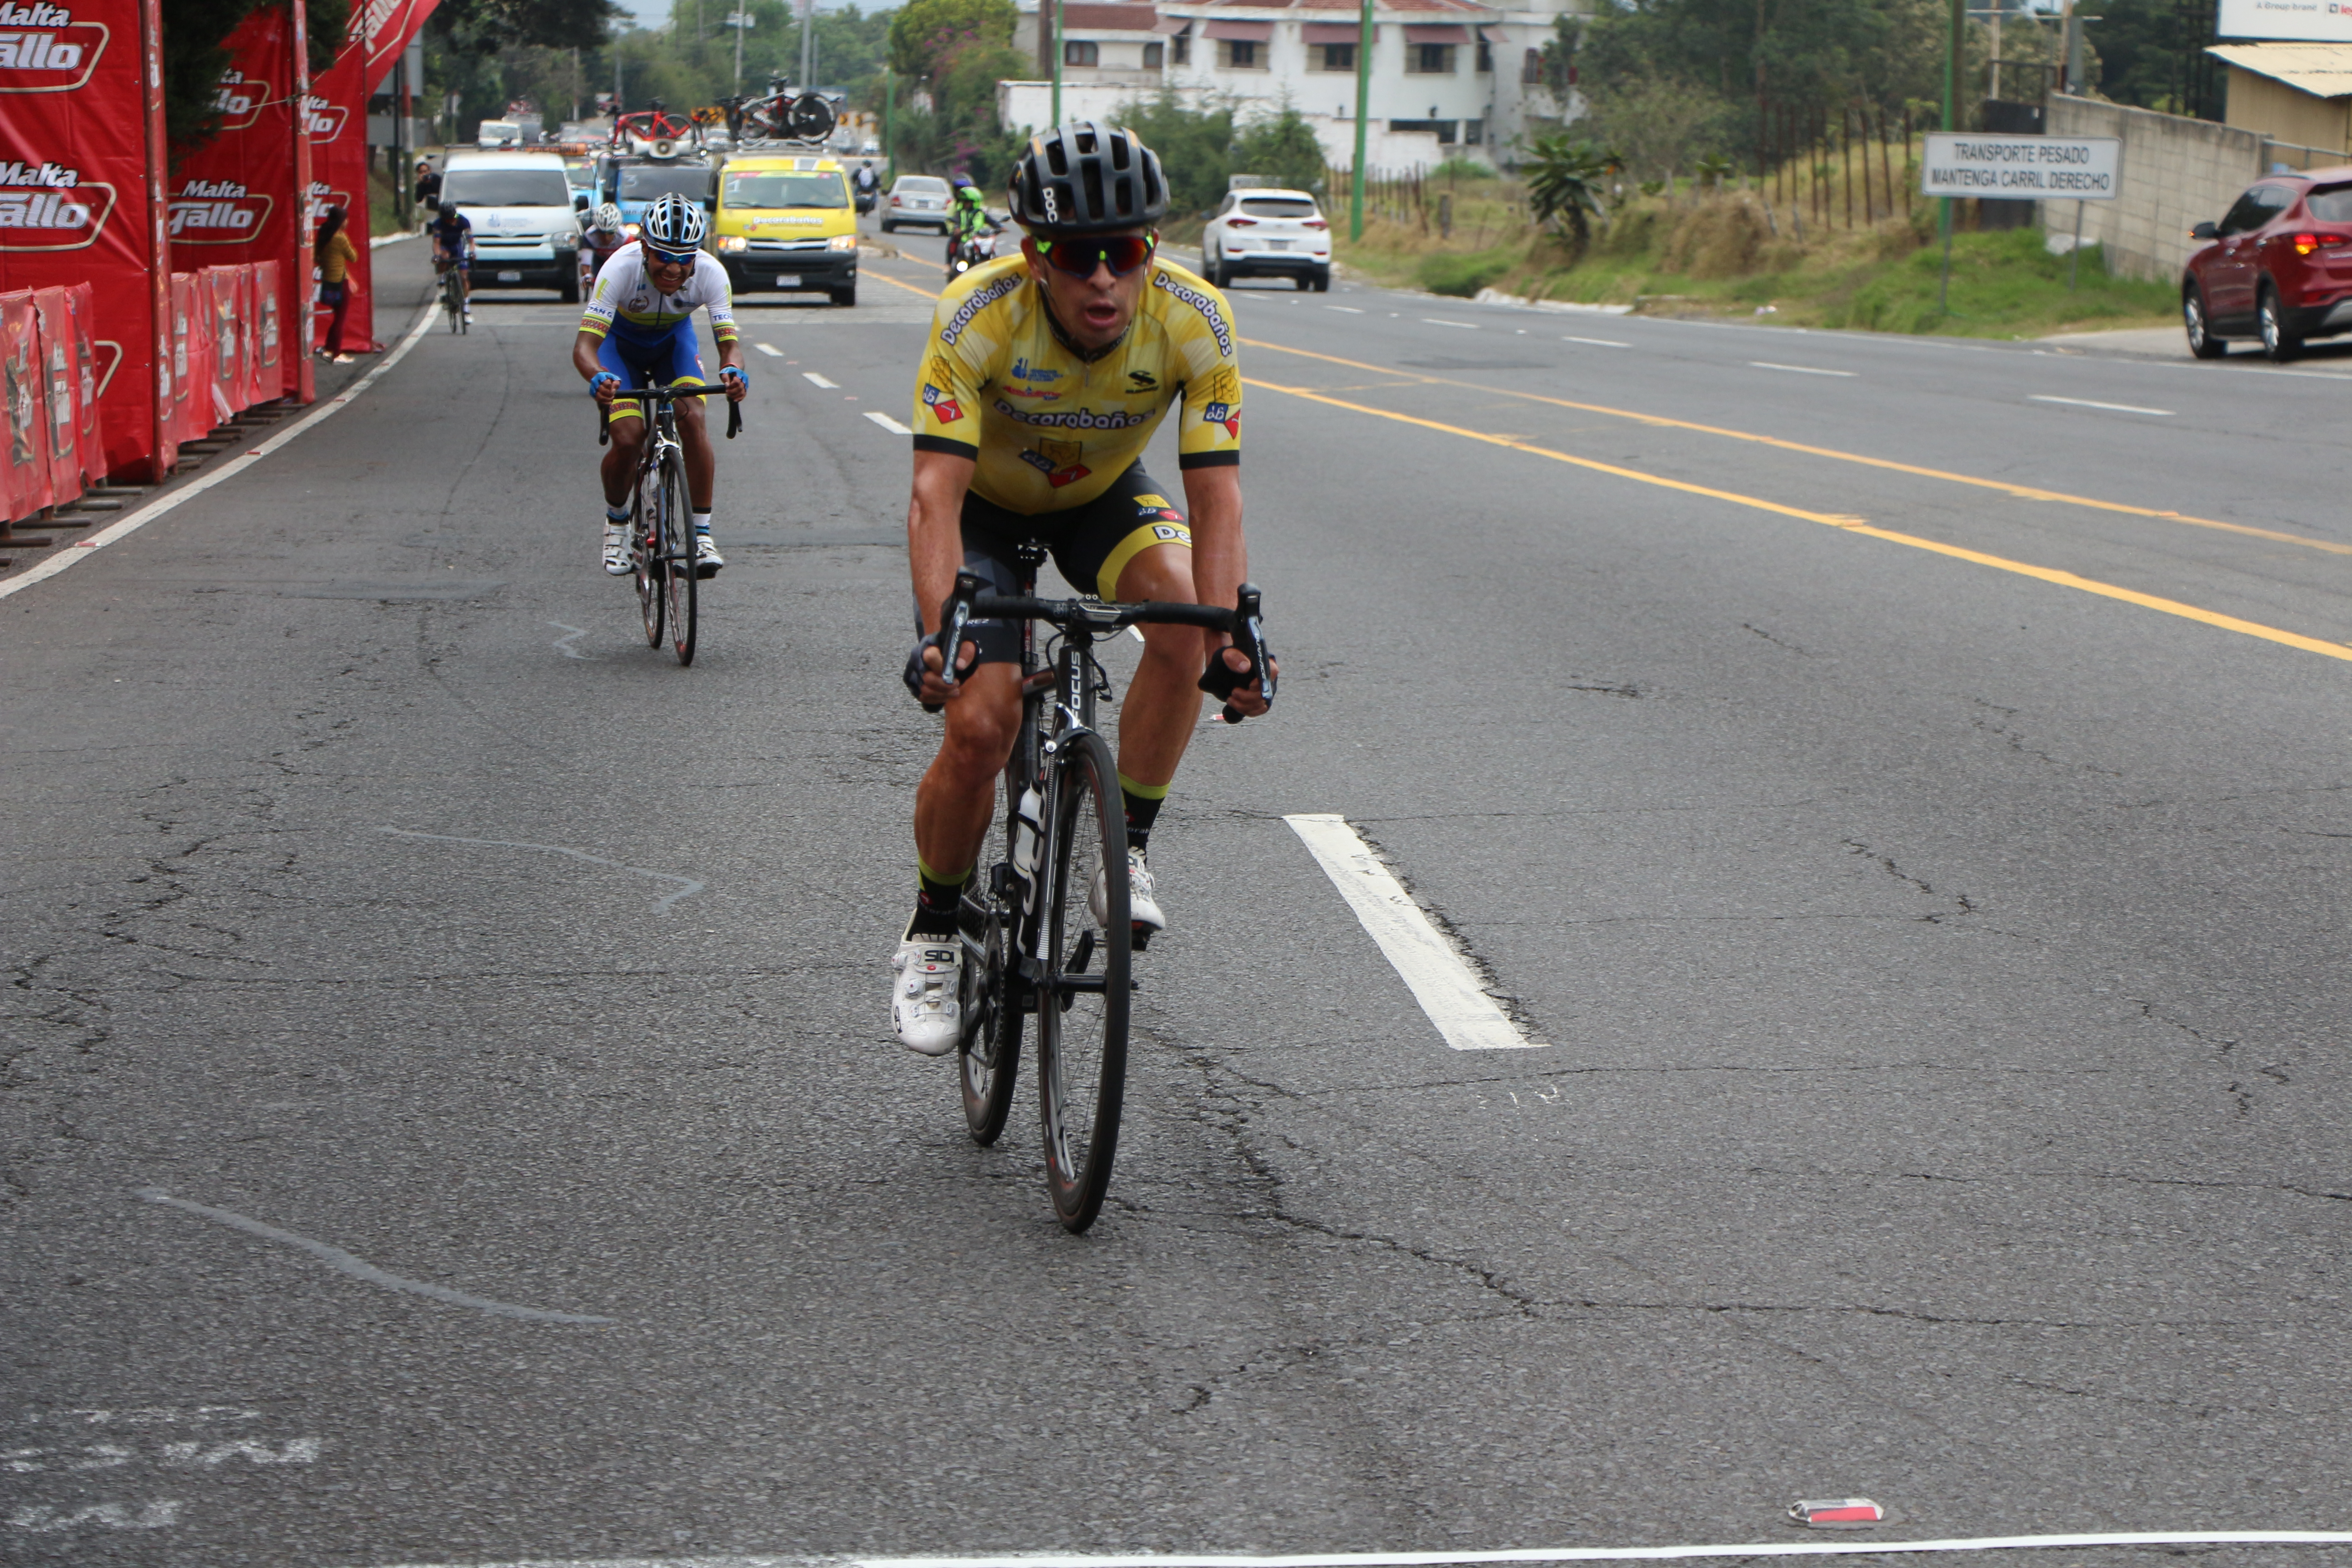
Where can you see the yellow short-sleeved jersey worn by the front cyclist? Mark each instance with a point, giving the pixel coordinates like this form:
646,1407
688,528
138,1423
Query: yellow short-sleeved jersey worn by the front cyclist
1053,431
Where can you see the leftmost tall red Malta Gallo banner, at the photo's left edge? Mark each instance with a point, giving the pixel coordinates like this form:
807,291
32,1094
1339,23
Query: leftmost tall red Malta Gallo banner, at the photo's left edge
81,196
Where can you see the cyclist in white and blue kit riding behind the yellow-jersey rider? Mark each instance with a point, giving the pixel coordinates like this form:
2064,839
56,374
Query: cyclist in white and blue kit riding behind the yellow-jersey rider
639,330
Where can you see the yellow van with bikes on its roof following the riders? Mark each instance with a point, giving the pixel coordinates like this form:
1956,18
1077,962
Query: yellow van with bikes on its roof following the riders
787,225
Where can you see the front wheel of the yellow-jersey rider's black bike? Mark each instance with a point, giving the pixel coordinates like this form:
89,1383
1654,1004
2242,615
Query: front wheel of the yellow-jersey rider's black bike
1085,993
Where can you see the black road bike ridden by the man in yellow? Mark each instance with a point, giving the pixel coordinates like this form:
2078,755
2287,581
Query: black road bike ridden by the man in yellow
1045,925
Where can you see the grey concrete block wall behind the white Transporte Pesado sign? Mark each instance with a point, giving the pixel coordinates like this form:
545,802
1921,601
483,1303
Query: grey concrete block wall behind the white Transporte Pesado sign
2177,173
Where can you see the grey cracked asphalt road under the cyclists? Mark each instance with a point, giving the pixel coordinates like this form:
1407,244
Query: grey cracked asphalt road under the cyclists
1902,784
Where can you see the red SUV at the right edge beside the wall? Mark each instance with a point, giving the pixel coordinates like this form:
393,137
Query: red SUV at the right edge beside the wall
2278,267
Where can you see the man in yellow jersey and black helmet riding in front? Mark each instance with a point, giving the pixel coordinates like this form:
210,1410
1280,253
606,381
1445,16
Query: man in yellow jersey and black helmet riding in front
1045,377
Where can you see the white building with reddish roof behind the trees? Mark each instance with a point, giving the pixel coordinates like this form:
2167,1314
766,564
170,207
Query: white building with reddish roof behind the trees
1450,79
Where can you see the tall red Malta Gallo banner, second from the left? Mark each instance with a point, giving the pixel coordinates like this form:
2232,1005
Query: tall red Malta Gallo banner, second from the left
243,194
